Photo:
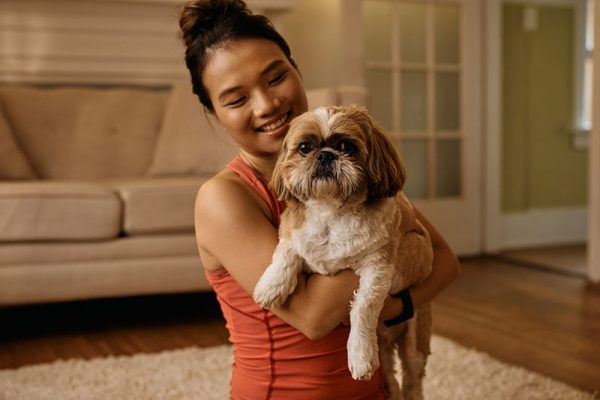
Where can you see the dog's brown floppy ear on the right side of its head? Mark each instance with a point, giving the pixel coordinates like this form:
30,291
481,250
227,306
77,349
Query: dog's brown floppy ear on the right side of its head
385,170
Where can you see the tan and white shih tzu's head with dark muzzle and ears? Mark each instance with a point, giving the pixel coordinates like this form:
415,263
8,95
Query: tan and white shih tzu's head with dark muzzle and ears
337,154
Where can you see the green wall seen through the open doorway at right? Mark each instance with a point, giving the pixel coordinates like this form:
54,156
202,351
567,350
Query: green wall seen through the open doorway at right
540,169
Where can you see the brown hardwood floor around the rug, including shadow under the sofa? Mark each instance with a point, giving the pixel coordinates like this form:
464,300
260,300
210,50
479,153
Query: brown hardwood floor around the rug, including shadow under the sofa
543,321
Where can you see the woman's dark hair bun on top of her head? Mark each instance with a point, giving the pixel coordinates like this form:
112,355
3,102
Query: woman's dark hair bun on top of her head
200,16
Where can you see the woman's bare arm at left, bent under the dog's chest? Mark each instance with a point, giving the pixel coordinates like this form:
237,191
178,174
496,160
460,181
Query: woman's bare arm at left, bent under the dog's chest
233,227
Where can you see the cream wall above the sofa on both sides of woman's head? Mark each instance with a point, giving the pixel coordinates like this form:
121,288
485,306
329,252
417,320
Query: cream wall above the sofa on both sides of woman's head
136,41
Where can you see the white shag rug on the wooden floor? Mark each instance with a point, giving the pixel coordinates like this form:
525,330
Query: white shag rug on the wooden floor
453,373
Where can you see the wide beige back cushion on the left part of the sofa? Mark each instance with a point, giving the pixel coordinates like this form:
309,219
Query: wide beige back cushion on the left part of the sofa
85,133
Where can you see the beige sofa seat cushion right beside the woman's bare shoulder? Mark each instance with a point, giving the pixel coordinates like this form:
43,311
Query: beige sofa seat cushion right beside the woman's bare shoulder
160,205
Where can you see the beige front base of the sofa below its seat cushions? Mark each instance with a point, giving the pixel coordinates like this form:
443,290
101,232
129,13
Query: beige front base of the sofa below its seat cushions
41,283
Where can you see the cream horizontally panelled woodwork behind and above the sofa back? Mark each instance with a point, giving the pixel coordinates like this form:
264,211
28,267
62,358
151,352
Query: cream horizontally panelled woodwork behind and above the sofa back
98,41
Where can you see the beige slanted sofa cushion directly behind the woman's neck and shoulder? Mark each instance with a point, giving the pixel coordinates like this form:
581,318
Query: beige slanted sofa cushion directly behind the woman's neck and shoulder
191,140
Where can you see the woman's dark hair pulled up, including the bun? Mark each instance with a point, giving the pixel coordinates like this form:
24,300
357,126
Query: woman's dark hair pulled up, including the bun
210,24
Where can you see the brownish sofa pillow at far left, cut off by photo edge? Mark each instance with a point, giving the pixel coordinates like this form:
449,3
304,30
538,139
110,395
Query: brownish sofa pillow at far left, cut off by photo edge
13,163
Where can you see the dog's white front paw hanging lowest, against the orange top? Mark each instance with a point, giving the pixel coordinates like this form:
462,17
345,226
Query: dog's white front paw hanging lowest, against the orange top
363,357
